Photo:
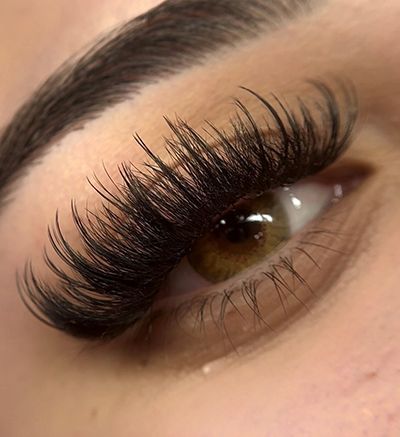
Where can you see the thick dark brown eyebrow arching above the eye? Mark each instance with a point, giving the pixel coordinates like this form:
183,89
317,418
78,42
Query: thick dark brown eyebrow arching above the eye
170,37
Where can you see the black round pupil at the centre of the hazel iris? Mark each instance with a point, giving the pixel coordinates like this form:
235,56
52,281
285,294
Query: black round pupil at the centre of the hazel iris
236,227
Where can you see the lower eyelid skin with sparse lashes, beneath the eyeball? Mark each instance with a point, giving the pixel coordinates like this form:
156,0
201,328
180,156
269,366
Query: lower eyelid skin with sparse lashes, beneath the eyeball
266,298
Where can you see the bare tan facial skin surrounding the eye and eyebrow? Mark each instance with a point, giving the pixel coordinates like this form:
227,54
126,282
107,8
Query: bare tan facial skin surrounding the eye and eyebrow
335,371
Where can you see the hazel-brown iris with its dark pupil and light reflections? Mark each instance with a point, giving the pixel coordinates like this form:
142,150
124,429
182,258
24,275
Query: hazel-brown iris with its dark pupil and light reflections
243,236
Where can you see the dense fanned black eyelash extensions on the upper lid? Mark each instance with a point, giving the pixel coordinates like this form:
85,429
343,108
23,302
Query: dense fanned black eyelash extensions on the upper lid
142,230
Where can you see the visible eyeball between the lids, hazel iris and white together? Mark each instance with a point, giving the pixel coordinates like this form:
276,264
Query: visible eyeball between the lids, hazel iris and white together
252,230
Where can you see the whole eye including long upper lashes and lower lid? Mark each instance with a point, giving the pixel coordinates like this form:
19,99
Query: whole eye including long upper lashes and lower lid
237,227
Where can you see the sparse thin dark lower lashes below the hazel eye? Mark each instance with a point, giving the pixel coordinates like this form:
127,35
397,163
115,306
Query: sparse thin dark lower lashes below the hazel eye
198,315
